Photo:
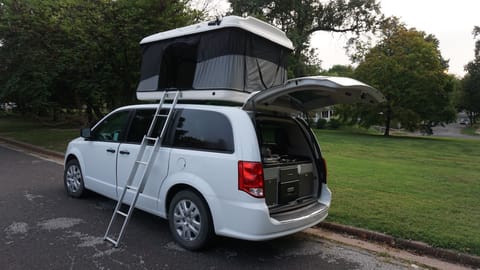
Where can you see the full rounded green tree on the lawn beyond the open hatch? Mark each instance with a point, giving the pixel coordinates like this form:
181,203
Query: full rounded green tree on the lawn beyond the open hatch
408,68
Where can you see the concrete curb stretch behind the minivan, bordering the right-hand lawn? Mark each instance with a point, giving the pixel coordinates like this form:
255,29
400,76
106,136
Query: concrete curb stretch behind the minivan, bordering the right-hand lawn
415,246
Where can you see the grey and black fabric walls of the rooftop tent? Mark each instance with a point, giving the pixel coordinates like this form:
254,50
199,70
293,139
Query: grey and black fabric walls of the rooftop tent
227,58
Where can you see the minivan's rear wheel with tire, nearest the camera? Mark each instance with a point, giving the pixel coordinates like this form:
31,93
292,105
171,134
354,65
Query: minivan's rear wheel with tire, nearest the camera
190,221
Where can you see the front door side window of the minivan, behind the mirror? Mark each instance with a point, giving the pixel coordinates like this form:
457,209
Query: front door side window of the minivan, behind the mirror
113,128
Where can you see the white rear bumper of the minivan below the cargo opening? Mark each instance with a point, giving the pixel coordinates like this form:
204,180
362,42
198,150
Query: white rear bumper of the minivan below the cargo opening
252,221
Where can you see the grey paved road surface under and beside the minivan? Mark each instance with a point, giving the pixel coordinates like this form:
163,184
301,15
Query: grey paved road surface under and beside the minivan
42,228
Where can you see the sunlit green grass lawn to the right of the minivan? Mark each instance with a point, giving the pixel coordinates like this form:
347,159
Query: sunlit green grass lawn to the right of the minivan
425,189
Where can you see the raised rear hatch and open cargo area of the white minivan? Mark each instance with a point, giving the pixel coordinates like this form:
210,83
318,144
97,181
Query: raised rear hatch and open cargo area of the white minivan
293,167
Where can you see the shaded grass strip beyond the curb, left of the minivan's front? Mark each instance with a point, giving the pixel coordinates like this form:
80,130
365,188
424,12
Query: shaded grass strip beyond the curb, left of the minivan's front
37,134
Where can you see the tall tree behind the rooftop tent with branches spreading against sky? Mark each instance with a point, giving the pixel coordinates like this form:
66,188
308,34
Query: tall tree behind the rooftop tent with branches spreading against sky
301,18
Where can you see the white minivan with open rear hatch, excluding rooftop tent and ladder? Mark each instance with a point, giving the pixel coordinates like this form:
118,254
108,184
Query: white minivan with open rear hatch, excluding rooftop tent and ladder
250,171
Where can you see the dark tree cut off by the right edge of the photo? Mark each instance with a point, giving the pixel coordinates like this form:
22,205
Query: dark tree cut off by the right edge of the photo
470,96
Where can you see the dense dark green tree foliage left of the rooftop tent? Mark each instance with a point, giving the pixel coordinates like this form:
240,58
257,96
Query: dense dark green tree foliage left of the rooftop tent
70,53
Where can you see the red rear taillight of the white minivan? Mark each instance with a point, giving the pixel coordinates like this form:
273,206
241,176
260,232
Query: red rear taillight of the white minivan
250,178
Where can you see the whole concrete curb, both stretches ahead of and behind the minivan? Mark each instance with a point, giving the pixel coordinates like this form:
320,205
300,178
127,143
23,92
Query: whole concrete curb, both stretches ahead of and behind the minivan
415,246
